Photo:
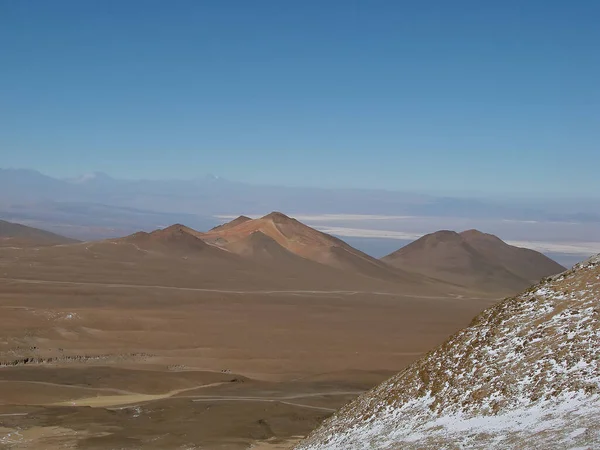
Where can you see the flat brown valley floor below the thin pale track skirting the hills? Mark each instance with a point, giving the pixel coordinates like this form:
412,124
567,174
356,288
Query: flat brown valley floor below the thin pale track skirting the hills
145,367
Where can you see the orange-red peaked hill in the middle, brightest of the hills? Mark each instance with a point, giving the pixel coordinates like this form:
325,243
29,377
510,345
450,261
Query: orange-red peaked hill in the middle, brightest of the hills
305,242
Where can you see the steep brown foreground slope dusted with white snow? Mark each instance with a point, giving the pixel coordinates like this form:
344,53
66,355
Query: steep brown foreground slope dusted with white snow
524,374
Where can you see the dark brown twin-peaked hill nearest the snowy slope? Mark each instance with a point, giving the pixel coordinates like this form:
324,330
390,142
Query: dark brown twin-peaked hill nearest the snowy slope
475,260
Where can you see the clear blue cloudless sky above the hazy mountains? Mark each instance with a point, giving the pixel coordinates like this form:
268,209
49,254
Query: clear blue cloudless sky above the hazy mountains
453,96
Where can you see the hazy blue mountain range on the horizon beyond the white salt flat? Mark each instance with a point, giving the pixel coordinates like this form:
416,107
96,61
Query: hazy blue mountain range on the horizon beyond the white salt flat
211,195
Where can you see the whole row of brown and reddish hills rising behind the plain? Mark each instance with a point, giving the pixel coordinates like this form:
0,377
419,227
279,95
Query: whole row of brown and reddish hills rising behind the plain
282,246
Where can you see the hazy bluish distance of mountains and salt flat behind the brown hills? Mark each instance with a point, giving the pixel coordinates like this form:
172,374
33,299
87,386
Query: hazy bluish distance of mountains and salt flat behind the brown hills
377,222
